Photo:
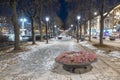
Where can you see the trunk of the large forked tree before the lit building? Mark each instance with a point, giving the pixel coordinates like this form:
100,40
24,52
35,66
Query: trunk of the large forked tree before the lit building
101,22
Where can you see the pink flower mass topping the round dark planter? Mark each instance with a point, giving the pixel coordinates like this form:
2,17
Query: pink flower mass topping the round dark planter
73,57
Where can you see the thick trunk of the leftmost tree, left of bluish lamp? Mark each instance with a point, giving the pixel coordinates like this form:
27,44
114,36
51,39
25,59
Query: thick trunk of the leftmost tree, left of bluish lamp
15,24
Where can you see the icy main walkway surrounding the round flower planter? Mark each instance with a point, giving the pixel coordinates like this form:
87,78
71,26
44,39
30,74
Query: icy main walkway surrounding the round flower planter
37,63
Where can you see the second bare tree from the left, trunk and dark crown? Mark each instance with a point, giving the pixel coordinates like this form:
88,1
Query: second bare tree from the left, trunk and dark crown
30,9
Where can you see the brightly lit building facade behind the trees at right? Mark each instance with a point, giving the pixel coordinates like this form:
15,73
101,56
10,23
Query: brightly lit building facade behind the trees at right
111,23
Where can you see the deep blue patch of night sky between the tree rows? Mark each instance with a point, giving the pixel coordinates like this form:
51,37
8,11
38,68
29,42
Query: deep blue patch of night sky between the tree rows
63,10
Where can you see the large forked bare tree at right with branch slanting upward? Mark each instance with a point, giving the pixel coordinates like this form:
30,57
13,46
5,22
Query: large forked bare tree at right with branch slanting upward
105,7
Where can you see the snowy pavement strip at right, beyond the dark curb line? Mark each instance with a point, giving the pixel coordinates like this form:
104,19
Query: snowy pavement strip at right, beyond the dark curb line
112,59
